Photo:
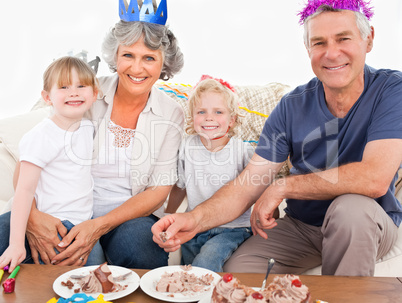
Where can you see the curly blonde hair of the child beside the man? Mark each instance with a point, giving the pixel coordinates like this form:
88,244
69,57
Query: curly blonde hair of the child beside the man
212,85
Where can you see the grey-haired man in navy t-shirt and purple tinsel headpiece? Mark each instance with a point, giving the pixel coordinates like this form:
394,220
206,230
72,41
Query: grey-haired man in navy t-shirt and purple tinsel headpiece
342,132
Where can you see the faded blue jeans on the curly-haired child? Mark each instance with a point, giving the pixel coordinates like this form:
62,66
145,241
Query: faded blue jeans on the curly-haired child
212,248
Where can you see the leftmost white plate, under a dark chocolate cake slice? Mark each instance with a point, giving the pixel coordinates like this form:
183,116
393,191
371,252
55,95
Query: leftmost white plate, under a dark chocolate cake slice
132,282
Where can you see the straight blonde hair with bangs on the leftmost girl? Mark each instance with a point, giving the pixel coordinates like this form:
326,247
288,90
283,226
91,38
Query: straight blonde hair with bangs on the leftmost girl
59,72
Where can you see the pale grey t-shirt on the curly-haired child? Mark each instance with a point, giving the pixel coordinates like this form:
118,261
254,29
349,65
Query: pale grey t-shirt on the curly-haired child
202,173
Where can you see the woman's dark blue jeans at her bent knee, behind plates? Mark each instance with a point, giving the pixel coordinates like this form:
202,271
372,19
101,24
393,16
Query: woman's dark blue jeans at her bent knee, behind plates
130,245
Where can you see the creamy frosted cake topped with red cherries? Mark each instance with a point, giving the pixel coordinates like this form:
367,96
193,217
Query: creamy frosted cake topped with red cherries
288,288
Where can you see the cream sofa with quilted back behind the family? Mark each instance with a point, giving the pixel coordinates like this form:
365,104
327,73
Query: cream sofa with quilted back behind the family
256,102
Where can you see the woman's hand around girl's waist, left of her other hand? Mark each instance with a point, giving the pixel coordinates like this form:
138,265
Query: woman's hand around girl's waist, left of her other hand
42,230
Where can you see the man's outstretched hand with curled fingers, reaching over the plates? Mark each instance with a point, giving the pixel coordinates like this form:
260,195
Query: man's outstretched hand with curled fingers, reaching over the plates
178,228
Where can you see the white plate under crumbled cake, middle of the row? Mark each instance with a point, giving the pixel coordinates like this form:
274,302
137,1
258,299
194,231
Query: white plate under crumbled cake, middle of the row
149,280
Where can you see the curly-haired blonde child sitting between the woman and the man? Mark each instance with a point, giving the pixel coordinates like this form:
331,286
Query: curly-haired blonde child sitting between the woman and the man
209,159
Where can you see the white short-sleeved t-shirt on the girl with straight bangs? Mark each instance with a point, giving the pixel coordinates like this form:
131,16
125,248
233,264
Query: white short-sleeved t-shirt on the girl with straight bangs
65,185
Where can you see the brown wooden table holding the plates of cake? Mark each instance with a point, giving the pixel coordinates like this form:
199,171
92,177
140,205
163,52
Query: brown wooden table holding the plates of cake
34,284
